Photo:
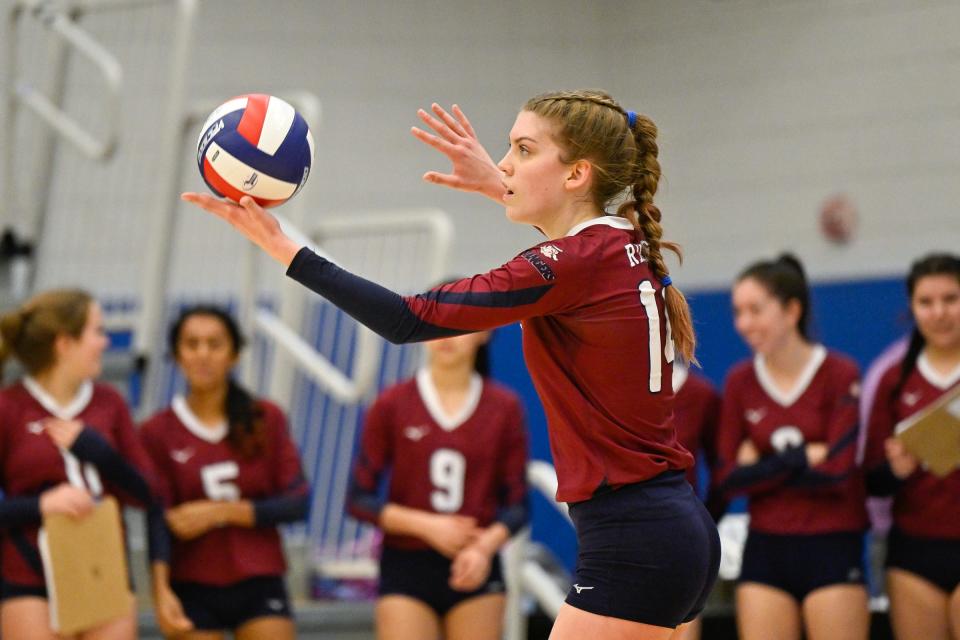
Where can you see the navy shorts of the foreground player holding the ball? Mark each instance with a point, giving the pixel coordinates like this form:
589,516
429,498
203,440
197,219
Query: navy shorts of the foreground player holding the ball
648,552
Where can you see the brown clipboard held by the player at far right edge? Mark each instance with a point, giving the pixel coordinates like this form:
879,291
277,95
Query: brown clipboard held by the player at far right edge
932,435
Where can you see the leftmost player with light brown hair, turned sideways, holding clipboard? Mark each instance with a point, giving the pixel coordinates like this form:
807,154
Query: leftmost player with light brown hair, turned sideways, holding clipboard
64,441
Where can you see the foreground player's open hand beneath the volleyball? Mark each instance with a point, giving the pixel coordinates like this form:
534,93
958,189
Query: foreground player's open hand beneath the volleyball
252,221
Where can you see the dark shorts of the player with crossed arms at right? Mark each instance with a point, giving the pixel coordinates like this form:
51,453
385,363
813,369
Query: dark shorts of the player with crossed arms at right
800,565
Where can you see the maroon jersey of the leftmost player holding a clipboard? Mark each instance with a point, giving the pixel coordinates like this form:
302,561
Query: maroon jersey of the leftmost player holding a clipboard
30,463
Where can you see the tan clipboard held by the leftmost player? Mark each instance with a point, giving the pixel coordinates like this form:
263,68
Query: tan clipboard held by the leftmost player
85,565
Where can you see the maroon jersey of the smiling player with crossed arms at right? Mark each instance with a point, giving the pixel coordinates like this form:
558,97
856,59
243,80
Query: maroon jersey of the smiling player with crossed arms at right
787,496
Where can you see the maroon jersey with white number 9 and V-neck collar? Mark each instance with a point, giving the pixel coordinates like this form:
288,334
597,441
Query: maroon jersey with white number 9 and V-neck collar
472,464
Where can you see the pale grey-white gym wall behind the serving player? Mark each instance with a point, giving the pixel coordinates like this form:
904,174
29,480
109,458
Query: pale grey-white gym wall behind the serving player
765,108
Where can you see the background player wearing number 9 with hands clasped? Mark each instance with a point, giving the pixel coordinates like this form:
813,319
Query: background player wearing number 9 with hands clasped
454,446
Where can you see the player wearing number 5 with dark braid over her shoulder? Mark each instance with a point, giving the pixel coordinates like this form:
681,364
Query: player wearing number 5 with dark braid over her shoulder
229,474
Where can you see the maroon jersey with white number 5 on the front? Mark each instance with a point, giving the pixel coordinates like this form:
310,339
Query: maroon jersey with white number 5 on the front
195,462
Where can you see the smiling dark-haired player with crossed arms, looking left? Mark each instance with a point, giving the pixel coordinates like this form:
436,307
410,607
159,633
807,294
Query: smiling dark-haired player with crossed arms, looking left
787,438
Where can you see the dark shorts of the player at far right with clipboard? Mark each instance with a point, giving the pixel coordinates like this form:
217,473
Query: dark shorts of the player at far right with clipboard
936,560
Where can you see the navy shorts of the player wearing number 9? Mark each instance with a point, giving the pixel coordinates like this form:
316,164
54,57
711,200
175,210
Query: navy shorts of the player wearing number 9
425,574
